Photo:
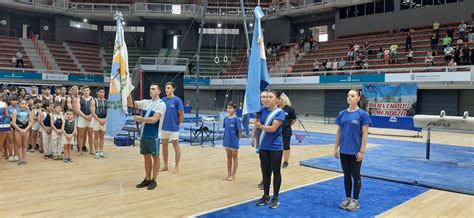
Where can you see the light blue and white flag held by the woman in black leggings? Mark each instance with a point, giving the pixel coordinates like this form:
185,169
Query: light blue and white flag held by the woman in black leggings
257,76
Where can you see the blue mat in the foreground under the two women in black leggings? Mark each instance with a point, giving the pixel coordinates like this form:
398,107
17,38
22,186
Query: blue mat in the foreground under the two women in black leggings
322,200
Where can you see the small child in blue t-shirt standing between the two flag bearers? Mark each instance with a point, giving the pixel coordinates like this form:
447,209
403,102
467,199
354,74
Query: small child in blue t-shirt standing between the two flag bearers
232,134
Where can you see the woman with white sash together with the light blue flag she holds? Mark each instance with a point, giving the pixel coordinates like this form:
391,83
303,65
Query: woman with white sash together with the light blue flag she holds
269,119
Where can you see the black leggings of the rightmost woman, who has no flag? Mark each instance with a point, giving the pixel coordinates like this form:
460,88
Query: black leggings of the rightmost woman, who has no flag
351,169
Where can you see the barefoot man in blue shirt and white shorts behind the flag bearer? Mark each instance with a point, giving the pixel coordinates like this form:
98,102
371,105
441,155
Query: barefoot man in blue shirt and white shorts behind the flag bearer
173,118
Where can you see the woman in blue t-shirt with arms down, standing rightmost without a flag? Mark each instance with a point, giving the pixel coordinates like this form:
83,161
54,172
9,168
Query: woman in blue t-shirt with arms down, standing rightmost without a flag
351,140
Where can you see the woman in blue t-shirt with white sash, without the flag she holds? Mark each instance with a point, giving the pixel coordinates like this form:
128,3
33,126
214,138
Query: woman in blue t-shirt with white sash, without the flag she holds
271,147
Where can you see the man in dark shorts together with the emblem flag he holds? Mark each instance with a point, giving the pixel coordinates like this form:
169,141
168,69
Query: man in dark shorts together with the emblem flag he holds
120,98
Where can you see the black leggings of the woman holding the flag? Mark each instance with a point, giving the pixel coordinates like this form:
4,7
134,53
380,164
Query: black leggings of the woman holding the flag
270,162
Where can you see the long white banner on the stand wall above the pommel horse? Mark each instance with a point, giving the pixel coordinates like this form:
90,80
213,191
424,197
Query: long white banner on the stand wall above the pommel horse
428,77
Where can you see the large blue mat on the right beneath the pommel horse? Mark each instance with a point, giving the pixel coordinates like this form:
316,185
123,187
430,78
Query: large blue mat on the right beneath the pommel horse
450,168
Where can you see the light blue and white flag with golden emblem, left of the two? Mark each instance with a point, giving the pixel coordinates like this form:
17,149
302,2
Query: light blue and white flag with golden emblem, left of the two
120,83
